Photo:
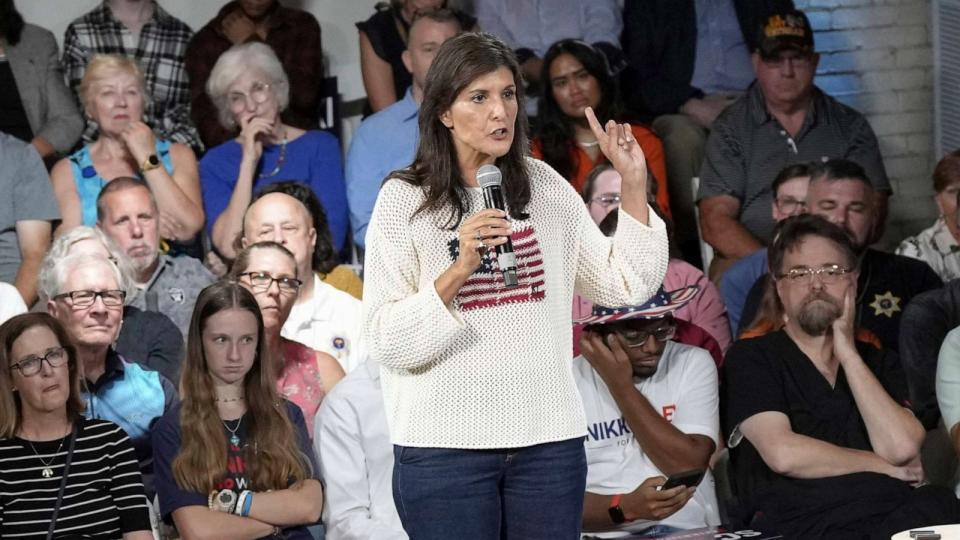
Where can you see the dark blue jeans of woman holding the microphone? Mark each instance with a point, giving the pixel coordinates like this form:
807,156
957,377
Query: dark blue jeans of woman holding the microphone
527,493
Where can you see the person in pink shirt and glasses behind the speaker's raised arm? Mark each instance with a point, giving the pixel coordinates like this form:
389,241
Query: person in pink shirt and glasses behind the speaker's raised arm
705,313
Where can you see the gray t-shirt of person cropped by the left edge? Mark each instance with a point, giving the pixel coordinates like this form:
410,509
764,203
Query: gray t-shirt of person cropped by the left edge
25,195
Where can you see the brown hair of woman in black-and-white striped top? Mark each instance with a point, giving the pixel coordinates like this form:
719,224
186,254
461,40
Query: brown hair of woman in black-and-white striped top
10,406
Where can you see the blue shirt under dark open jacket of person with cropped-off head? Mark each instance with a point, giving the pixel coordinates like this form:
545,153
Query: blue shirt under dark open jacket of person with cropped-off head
722,62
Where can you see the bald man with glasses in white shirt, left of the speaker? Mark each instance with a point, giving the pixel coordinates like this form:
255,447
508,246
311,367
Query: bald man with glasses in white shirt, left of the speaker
323,318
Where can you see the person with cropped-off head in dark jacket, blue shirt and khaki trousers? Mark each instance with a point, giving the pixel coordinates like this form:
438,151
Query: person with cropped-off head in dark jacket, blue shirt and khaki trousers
687,61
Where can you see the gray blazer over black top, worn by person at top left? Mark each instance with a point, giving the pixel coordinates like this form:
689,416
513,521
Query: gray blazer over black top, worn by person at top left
50,106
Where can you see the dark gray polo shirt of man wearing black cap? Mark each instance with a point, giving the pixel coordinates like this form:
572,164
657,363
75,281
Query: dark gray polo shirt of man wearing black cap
747,147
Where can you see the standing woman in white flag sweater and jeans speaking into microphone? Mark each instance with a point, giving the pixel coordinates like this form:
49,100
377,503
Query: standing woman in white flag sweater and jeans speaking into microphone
483,411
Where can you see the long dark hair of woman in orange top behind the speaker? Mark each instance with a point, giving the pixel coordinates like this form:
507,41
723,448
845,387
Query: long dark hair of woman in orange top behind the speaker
556,128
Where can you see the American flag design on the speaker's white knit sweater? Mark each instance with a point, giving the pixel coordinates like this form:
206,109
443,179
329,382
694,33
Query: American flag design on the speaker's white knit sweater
485,287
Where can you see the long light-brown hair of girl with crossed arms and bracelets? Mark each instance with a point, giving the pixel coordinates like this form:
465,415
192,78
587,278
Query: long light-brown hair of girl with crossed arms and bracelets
272,455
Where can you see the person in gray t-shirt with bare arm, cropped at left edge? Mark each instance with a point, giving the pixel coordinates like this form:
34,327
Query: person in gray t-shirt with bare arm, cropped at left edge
27,213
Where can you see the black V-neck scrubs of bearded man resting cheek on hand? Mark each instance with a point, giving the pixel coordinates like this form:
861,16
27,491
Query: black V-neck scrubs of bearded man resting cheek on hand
770,373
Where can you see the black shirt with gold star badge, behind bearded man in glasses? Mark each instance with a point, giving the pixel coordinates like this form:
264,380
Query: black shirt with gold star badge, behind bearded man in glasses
886,284
